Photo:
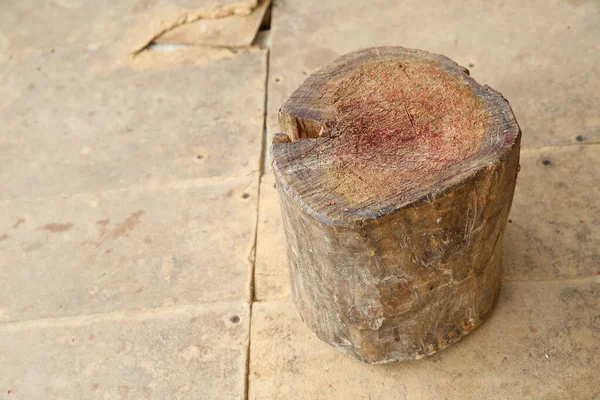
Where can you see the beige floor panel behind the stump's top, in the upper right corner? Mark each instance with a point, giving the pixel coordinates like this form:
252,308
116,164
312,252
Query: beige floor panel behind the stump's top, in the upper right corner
520,49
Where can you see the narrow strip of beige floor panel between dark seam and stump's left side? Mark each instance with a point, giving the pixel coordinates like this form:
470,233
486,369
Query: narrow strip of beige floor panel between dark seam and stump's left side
271,272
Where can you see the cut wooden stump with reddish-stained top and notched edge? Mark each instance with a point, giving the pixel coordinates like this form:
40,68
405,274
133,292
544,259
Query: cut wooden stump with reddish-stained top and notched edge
396,173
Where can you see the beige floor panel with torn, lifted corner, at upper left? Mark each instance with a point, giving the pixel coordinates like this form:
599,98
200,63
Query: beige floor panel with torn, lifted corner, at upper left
81,113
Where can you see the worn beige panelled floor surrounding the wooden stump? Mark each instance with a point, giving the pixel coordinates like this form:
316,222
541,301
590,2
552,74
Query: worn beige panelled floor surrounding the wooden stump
141,248
